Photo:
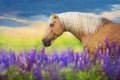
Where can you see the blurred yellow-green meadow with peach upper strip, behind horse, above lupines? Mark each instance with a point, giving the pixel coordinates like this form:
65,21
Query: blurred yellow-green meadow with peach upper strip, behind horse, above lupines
26,38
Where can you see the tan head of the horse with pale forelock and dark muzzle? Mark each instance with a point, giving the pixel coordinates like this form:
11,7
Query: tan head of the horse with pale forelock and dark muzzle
54,30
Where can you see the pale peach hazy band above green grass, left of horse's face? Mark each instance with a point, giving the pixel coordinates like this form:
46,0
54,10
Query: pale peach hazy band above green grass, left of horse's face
32,31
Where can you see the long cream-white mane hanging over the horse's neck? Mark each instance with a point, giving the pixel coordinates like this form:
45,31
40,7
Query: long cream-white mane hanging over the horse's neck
81,22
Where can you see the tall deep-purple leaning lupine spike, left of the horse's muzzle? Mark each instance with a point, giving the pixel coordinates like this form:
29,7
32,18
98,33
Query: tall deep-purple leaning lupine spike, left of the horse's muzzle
31,59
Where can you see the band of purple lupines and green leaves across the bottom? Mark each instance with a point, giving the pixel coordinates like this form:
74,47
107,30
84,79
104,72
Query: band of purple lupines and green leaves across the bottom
66,65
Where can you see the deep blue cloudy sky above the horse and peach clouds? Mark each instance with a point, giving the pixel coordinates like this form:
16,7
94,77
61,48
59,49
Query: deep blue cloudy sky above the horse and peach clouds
39,10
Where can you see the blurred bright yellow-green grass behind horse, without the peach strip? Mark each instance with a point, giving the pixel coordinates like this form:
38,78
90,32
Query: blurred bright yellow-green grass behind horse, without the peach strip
25,43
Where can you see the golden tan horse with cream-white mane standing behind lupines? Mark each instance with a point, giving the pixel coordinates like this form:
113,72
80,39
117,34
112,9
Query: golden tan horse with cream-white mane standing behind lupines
90,29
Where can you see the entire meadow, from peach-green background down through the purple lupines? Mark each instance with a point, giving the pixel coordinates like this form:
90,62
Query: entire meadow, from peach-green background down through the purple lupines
22,53
